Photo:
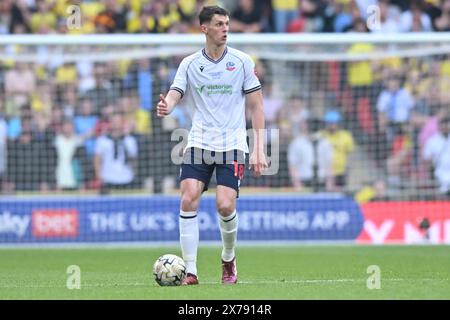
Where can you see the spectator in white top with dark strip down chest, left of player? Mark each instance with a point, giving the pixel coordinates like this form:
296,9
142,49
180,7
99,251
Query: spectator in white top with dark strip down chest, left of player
115,157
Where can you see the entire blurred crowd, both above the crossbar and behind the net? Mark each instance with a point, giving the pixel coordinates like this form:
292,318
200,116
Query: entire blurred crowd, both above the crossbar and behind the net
58,121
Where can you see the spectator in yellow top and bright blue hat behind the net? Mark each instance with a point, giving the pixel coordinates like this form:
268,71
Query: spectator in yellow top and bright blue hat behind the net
342,142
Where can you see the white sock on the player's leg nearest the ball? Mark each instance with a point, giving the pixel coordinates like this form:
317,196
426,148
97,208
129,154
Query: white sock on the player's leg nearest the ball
189,237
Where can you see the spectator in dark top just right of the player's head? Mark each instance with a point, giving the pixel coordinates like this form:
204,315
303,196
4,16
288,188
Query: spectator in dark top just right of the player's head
246,17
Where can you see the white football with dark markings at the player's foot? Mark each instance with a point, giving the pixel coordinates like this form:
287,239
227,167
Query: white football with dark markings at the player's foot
169,270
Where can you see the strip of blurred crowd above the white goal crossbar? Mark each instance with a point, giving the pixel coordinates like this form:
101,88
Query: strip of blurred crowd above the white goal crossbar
176,16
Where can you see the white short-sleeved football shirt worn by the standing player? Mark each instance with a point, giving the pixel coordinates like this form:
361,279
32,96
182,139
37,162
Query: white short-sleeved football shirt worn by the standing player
215,91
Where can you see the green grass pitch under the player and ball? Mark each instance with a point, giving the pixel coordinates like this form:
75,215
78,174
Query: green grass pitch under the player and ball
272,272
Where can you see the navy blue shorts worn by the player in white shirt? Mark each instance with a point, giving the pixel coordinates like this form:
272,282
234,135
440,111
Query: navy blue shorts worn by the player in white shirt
199,164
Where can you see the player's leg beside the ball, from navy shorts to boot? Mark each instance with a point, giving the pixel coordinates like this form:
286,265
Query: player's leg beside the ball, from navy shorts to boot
194,178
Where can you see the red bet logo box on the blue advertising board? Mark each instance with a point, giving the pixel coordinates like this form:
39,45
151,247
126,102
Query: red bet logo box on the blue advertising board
55,223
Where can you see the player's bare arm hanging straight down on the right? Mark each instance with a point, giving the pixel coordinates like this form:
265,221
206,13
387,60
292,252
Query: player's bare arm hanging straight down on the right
254,102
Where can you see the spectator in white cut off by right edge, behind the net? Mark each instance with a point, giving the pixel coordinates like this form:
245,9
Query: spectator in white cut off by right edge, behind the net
437,151
